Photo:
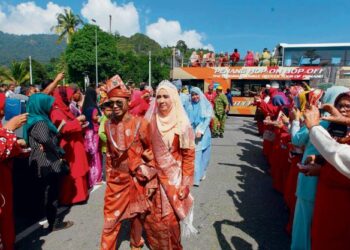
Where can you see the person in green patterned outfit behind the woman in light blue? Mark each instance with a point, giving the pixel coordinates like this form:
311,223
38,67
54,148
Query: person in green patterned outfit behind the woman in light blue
221,106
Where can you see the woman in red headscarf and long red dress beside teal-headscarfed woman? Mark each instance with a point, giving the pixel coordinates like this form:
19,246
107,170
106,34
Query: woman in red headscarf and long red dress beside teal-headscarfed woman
74,188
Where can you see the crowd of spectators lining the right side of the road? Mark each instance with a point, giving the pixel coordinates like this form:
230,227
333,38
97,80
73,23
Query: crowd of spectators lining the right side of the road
306,143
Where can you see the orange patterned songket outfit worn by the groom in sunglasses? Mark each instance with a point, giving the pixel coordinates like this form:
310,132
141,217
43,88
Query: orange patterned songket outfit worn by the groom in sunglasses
125,196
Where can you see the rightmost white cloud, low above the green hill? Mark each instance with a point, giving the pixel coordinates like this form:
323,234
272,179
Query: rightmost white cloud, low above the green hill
167,33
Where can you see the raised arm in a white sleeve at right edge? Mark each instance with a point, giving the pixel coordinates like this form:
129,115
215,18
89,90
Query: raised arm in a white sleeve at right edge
338,155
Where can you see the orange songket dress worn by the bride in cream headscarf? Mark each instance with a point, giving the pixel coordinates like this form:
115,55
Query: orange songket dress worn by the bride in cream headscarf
175,169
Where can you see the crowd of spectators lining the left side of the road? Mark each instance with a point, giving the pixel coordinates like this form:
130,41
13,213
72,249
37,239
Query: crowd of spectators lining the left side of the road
42,131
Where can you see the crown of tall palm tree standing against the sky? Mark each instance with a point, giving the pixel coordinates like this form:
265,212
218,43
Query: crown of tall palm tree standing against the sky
67,25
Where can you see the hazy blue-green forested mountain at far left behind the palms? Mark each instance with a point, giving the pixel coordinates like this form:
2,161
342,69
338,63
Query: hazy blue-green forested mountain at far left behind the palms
18,47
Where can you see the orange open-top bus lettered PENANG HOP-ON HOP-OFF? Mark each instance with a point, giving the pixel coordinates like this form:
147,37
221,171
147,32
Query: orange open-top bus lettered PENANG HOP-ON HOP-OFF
245,81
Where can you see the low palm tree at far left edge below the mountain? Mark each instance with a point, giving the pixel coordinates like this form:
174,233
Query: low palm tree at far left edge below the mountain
17,73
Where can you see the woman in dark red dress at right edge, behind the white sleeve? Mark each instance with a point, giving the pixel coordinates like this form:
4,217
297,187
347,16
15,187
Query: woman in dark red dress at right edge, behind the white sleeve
331,221
